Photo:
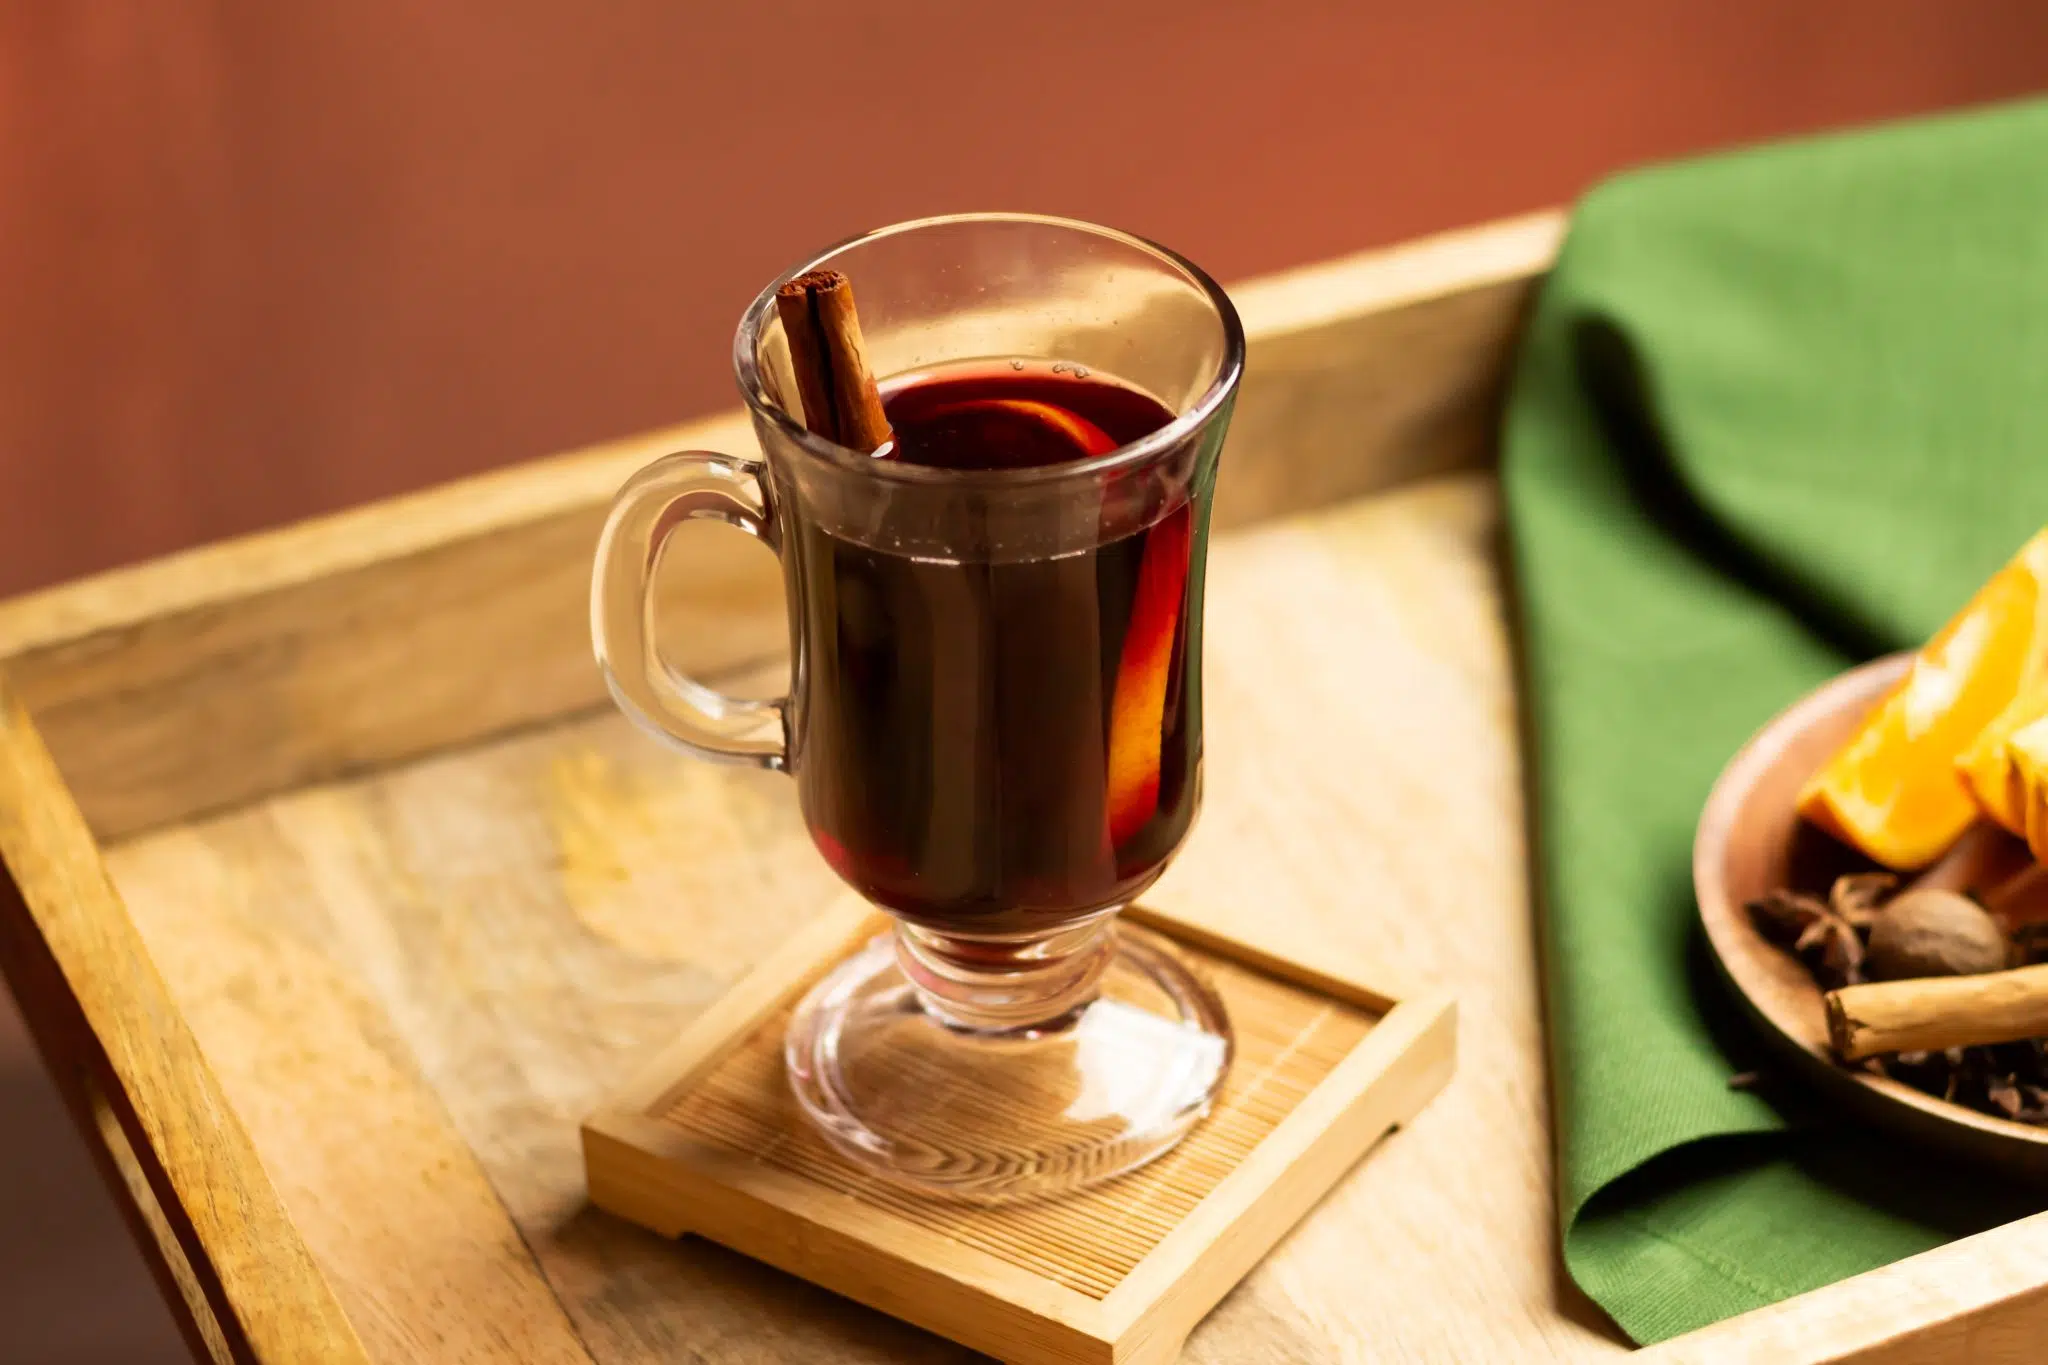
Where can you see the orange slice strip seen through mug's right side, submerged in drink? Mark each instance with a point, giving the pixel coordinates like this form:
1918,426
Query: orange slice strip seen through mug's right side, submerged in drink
1138,707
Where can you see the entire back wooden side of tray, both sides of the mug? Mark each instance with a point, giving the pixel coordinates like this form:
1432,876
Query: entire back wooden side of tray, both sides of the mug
386,633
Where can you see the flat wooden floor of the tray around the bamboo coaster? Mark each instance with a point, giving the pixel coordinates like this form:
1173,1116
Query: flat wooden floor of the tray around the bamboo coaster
488,942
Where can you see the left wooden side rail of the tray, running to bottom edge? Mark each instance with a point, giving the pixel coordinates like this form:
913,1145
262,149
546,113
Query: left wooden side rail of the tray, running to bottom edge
237,1260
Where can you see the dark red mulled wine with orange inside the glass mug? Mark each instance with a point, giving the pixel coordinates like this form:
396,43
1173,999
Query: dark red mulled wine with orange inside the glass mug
998,748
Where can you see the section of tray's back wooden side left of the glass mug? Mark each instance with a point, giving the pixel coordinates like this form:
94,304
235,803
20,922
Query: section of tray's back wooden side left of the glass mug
357,640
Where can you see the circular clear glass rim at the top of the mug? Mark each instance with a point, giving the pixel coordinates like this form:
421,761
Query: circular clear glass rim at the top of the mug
746,367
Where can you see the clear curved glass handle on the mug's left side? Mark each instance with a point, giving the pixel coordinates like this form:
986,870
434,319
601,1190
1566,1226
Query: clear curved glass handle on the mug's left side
693,486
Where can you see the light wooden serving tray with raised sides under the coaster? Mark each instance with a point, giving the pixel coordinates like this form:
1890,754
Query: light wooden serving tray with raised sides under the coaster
339,897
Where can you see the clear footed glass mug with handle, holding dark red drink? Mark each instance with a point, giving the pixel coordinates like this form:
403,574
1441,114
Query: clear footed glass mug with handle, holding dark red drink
996,705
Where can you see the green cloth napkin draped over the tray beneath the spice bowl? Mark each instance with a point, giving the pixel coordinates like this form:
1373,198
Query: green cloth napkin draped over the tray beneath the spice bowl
1777,412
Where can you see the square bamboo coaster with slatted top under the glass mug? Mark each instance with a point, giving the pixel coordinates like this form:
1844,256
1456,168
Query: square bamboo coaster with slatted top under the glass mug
710,1141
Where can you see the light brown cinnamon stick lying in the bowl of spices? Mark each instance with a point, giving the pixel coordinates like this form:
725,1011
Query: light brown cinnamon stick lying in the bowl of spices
1938,1012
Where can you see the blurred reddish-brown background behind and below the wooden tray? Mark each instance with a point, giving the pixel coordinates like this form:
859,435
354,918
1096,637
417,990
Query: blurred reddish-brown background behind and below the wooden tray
269,259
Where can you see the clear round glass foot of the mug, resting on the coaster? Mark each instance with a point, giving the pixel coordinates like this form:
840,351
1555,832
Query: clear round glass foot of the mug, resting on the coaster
912,1063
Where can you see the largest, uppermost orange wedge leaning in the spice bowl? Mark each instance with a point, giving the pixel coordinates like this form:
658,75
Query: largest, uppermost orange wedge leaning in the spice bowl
1895,789
